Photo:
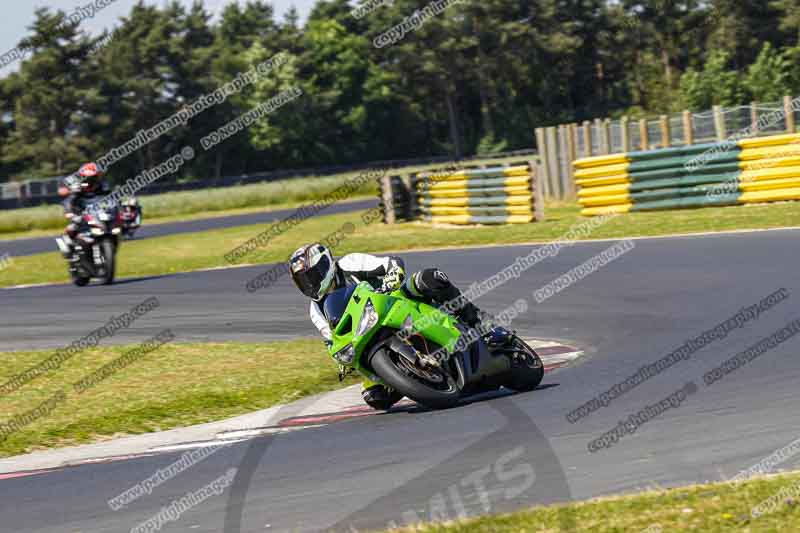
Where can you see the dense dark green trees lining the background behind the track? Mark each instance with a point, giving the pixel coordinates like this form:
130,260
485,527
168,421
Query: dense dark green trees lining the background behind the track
476,78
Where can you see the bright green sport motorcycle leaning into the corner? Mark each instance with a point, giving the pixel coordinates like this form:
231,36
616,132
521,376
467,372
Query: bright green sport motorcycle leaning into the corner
422,352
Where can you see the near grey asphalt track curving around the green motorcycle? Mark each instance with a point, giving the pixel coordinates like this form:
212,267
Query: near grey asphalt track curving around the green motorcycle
488,456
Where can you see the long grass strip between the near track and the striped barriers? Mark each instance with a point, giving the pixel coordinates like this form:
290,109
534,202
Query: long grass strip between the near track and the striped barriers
180,253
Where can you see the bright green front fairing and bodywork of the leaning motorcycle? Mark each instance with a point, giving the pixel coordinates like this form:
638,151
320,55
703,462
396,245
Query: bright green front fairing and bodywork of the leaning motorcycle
358,313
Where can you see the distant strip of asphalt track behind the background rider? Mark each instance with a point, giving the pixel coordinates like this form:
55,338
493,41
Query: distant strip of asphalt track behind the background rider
21,247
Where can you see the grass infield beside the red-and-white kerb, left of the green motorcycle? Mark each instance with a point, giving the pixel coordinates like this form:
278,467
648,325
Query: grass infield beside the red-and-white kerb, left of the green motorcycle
195,383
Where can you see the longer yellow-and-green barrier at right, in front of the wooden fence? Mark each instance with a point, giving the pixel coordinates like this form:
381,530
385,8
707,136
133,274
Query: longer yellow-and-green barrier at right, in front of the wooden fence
765,169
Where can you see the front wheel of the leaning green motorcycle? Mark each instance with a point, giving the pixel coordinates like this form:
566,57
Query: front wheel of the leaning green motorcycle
431,387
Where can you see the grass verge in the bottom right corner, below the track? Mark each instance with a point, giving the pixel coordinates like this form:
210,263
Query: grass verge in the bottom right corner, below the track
710,508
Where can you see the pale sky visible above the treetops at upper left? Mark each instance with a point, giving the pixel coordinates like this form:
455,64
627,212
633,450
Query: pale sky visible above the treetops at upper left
19,14
